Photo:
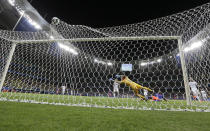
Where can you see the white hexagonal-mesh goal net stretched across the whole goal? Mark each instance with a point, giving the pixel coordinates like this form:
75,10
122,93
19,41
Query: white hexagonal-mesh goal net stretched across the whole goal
109,67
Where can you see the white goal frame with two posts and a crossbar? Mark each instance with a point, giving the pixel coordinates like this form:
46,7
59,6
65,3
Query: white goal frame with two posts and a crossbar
178,38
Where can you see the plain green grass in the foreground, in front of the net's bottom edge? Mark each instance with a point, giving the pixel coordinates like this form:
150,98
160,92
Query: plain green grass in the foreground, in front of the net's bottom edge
36,117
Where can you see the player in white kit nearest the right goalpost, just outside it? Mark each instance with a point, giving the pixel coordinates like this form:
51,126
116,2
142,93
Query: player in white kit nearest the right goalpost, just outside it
194,89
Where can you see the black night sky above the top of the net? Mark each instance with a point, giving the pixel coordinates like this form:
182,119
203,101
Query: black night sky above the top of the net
104,13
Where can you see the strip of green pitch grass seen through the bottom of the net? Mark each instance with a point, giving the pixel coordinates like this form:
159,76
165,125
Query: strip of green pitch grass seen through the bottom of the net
105,101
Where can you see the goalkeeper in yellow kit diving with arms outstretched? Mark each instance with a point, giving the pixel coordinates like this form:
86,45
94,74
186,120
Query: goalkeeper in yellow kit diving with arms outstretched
134,86
